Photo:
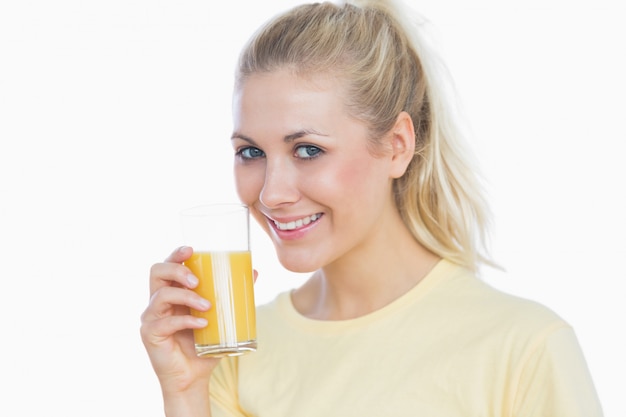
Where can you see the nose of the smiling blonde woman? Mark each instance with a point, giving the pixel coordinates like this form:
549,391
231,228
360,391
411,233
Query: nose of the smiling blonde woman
280,186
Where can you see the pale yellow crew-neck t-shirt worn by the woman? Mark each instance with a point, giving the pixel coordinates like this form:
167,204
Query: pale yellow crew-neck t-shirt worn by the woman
451,346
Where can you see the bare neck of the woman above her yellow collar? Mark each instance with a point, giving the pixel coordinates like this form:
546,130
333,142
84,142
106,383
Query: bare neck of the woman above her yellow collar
367,279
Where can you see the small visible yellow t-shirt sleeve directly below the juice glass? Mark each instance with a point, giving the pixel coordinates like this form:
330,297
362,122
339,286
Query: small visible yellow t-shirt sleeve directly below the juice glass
223,390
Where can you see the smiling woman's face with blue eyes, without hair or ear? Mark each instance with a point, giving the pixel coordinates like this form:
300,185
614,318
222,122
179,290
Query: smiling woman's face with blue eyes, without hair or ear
304,168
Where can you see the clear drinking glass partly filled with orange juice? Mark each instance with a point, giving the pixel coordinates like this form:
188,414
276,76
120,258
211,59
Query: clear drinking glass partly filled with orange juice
219,236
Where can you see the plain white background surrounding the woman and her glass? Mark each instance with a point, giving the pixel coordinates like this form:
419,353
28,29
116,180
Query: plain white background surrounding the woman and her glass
115,115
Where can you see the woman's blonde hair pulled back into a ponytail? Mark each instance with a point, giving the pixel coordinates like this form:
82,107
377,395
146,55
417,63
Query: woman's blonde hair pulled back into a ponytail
388,68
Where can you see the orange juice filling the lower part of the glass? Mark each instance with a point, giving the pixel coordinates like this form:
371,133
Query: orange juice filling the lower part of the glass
226,281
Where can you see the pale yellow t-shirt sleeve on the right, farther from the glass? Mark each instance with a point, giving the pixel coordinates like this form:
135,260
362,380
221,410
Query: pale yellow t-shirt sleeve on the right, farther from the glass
555,380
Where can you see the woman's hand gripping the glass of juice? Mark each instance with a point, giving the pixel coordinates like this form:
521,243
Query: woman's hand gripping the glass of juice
166,326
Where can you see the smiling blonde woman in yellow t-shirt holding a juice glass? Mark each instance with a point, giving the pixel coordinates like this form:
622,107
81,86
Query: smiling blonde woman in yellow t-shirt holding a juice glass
348,156
